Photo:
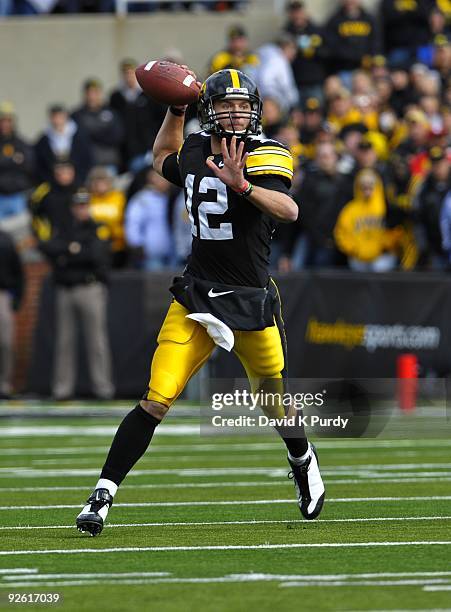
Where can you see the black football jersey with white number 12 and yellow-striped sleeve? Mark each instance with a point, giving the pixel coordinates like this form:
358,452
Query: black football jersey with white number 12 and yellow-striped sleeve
231,236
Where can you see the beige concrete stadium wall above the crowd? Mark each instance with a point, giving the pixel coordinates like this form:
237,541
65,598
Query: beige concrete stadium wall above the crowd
45,59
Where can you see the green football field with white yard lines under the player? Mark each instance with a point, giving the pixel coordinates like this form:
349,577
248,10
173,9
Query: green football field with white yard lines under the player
211,523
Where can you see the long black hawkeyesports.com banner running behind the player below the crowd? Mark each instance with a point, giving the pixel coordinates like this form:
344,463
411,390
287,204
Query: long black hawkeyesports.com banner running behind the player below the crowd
339,325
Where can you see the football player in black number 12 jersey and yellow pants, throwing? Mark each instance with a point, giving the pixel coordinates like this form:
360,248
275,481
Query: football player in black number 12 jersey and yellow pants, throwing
237,187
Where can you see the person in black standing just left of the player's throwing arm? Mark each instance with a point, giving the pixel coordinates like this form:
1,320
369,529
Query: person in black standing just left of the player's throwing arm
140,116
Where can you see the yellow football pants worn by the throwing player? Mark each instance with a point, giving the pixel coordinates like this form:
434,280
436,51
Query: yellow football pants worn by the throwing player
184,346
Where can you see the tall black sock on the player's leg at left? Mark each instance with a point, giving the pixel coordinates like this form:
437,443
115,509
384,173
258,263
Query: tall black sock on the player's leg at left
129,444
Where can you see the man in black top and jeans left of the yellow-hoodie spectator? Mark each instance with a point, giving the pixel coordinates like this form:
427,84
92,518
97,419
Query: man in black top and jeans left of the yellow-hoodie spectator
309,242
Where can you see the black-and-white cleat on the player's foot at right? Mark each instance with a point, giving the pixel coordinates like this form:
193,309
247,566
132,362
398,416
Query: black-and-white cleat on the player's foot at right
308,485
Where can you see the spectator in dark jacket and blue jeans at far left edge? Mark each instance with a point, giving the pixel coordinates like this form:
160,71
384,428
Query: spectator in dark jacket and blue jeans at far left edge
16,165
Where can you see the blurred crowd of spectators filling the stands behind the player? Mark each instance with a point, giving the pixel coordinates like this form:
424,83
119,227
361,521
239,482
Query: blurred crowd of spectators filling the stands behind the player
363,101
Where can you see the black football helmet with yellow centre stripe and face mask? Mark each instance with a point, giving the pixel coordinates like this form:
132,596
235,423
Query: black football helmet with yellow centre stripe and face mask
229,84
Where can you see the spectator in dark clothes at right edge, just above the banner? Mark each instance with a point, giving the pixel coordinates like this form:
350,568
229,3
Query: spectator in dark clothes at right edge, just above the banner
428,205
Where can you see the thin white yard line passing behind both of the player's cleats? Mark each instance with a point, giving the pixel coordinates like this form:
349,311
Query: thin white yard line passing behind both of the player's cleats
246,502
